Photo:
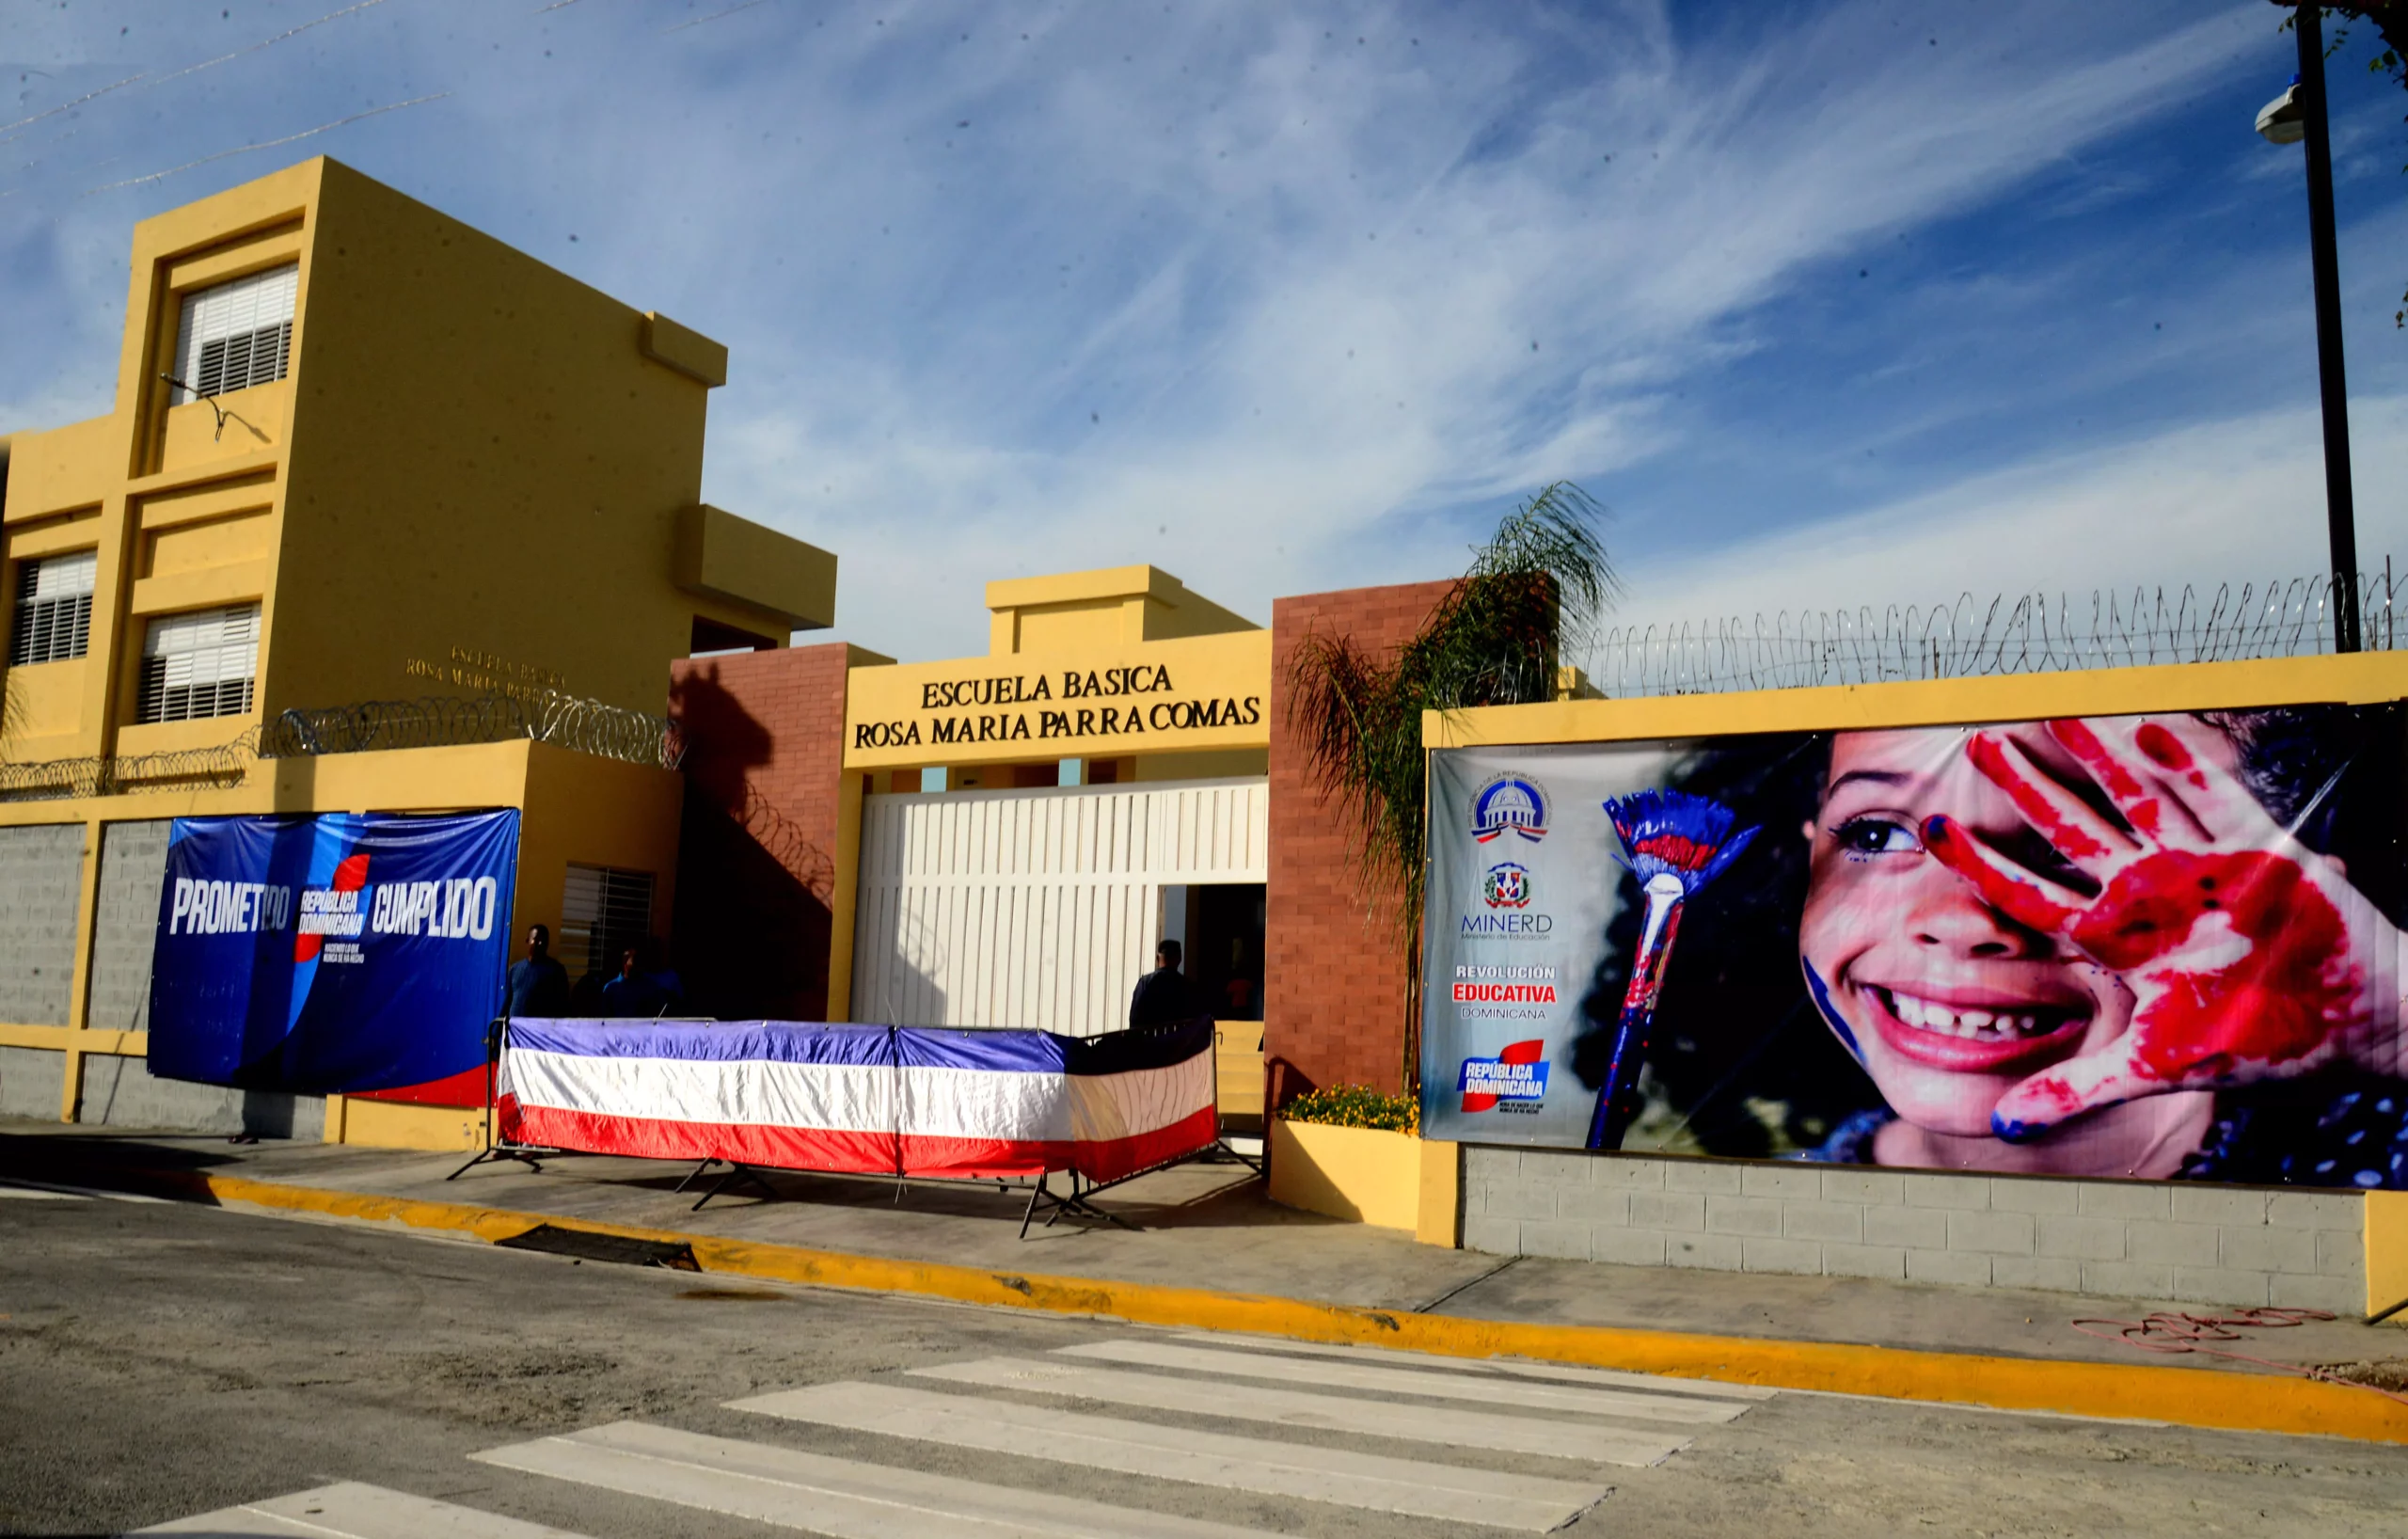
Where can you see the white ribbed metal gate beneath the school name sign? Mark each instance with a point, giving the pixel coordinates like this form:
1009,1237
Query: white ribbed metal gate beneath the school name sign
1037,907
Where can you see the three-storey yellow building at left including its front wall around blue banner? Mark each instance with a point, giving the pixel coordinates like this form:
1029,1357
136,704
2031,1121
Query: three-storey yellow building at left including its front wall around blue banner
384,517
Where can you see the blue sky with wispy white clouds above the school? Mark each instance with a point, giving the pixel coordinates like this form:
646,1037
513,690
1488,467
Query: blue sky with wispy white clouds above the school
1831,305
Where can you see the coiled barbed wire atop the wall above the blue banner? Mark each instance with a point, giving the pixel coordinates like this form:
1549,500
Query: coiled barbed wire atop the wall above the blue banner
370,726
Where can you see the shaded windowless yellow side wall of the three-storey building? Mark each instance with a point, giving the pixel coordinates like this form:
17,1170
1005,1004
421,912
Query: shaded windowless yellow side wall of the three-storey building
483,461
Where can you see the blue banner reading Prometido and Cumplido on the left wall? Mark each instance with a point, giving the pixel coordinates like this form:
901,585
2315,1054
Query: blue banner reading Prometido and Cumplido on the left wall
331,955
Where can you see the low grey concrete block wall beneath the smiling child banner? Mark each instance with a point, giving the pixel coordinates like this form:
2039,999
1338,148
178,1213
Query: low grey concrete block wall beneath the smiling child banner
2118,1239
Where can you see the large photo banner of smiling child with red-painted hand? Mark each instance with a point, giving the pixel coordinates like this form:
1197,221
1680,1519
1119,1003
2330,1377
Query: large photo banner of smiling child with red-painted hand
2137,948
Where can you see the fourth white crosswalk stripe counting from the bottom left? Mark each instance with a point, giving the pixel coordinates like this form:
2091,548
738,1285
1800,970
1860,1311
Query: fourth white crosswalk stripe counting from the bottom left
1328,1413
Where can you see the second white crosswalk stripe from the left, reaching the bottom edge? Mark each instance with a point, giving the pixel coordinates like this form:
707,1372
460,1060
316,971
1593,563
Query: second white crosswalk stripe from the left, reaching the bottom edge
842,1499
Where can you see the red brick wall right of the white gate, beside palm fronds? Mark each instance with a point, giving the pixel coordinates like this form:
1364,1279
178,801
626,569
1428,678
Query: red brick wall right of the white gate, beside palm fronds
1335,984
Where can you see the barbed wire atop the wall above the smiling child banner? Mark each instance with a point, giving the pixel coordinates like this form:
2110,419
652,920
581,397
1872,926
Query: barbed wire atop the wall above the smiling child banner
2009,635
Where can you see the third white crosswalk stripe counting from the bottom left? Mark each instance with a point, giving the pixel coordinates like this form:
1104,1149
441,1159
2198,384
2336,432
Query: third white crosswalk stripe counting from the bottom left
1179,1453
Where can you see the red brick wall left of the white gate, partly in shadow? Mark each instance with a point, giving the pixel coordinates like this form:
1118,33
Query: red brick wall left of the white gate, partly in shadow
757,854
